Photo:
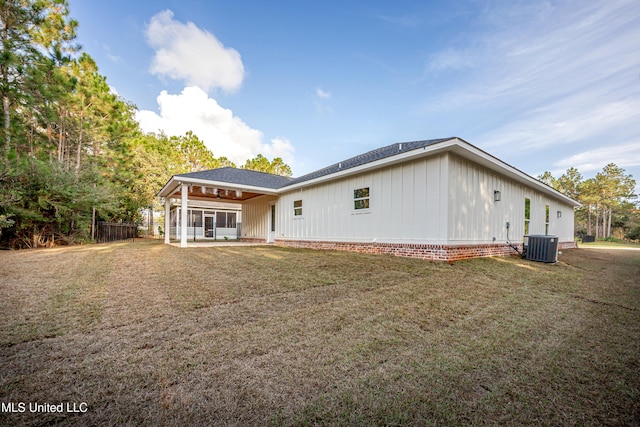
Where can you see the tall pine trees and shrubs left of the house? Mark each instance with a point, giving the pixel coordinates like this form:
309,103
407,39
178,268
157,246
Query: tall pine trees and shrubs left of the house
71,152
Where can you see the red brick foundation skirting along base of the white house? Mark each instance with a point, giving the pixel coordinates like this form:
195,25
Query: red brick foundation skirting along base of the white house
412,250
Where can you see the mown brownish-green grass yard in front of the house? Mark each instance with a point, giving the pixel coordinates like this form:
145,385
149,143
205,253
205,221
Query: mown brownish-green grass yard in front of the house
149,334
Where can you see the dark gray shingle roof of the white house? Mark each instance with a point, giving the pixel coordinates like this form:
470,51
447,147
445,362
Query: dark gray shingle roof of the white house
266,180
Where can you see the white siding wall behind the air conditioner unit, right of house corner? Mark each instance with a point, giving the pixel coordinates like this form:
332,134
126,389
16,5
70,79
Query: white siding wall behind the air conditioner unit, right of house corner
475,217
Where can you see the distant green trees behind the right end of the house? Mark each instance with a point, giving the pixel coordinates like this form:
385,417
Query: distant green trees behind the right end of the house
607,201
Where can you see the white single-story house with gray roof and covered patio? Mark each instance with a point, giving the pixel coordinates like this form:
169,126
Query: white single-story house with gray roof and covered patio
441,199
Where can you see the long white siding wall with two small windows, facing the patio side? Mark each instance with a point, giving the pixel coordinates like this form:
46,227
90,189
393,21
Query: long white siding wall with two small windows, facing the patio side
408,204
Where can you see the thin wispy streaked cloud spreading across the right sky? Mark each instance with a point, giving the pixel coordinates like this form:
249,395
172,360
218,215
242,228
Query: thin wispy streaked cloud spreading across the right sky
546,82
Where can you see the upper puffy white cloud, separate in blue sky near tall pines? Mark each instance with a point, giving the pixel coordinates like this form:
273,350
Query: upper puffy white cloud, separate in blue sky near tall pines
187,53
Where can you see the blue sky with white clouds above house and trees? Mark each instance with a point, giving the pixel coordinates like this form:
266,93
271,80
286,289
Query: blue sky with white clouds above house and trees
542,85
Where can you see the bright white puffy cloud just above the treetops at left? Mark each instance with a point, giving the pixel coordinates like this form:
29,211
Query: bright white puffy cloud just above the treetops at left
222,132
